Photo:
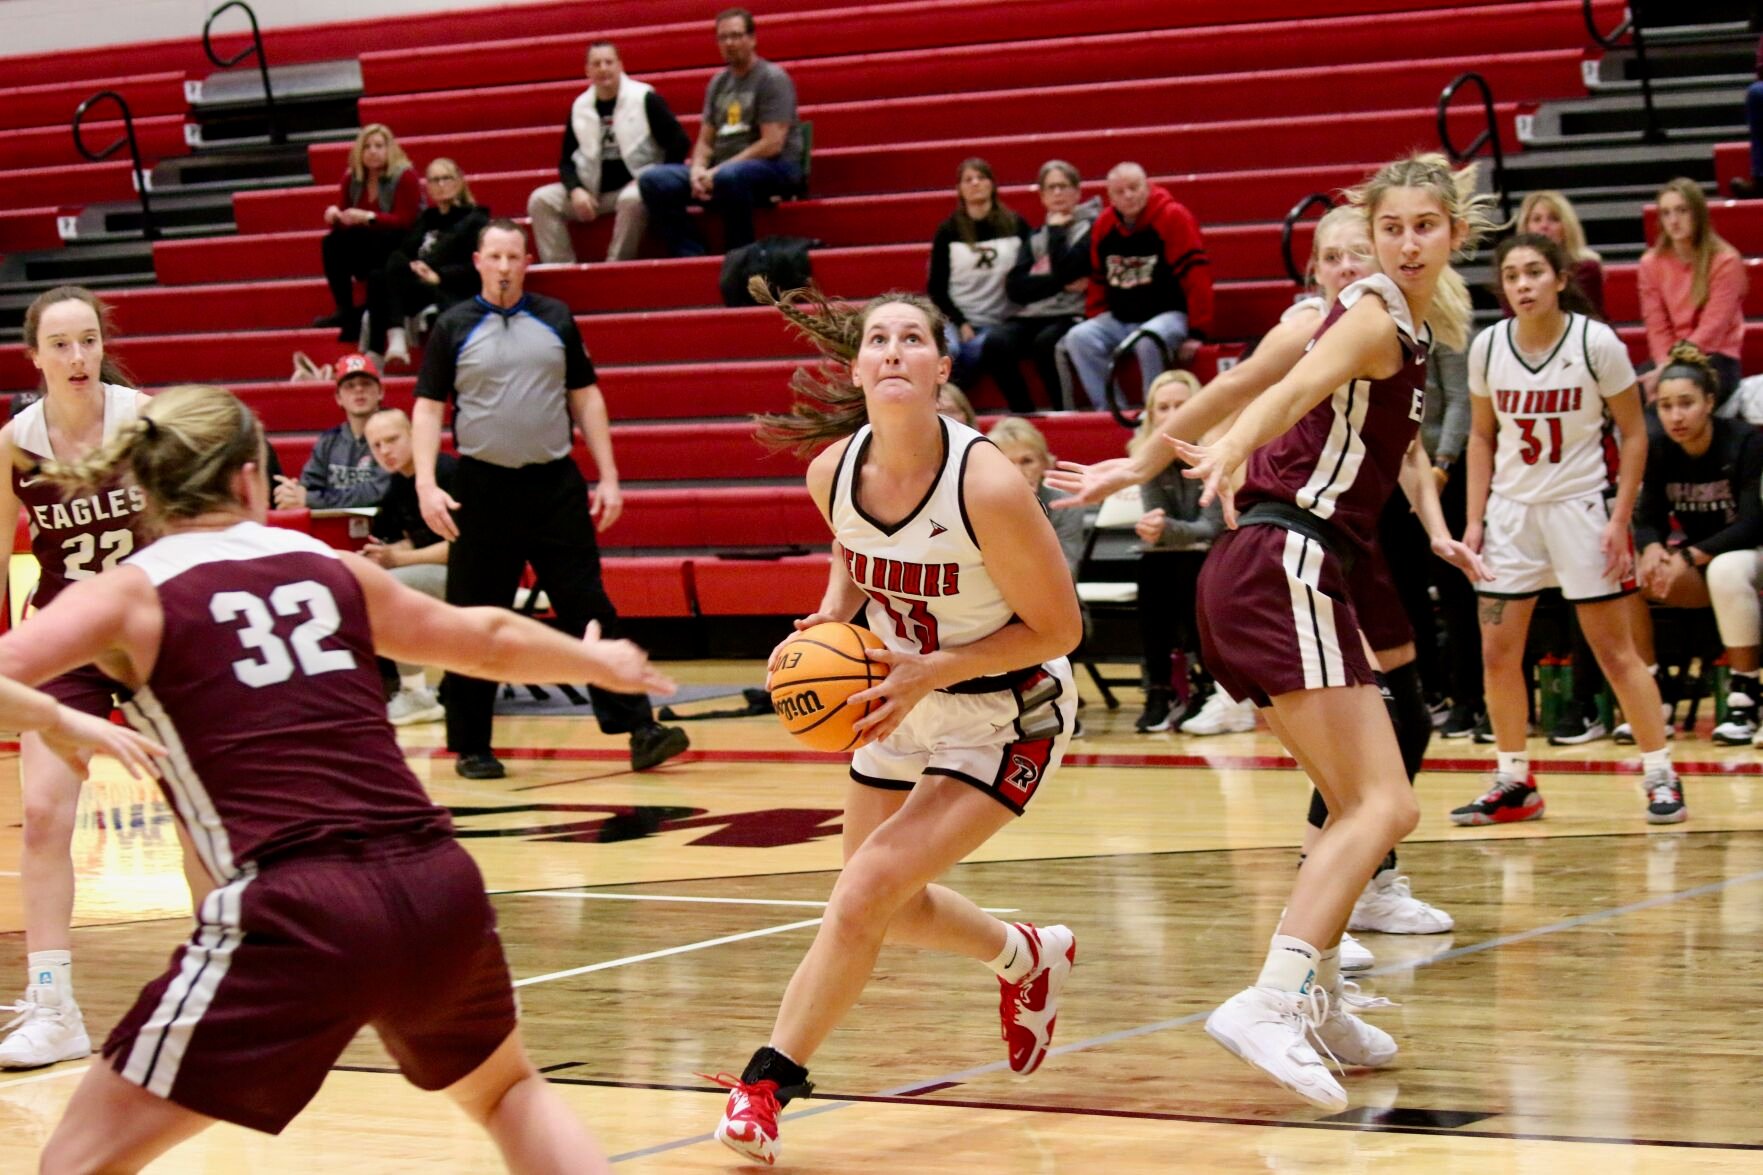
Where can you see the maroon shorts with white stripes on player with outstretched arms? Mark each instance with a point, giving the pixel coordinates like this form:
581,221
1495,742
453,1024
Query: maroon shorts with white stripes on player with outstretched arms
1276,617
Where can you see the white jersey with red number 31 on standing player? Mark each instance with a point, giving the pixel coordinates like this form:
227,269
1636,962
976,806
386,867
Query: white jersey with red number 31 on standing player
1551,442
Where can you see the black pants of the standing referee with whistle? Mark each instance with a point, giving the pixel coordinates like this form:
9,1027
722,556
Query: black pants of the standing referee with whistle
507,520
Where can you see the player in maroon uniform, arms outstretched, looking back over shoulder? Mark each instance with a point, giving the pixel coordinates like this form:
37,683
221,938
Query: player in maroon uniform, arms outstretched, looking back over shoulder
1325,449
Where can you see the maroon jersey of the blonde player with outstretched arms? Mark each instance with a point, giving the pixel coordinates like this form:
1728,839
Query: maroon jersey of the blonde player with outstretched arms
1343,460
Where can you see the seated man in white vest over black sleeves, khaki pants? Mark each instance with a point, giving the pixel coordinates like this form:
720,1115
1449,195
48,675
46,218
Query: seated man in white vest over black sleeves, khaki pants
618,130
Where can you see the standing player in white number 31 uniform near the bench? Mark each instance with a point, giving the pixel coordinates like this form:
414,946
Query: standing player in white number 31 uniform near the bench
1542,385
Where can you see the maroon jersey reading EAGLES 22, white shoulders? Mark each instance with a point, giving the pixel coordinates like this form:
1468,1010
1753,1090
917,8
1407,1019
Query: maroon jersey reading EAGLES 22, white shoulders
77,537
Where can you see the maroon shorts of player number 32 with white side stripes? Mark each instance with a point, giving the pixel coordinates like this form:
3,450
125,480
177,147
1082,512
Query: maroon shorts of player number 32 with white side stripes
290,962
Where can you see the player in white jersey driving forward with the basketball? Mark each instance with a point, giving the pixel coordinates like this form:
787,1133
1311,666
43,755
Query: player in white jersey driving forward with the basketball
955,558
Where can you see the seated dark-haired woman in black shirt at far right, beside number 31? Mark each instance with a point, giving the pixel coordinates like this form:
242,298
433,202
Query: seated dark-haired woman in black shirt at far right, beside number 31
1704,475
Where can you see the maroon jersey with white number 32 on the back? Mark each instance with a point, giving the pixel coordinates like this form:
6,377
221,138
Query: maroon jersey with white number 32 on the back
269,698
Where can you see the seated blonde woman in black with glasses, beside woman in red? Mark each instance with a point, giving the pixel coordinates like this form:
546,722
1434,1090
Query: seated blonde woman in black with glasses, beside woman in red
431,269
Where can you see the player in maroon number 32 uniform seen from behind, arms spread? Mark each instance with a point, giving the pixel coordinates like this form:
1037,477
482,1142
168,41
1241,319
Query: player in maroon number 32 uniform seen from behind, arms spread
249,654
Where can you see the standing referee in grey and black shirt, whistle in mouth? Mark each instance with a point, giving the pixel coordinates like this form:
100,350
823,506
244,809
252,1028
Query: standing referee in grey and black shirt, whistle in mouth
517,375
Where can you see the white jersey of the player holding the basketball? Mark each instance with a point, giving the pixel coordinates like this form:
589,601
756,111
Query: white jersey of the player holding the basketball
925,576
